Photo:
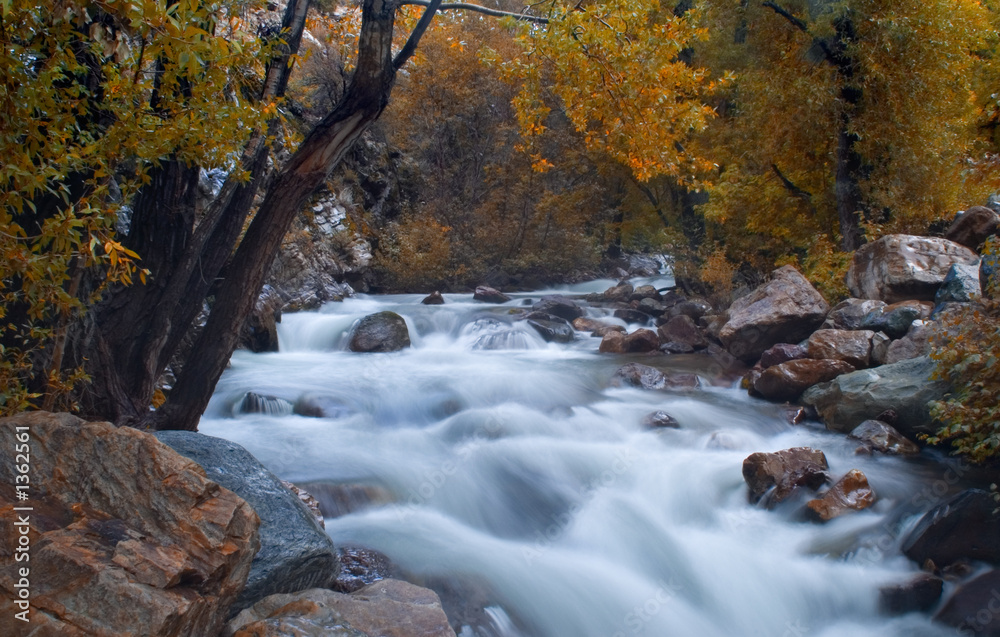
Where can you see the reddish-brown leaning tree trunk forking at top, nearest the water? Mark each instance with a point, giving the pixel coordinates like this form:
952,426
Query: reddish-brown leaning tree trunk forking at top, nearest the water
307,170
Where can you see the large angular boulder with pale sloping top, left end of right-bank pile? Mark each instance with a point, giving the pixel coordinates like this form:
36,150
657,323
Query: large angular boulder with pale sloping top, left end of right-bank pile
787,308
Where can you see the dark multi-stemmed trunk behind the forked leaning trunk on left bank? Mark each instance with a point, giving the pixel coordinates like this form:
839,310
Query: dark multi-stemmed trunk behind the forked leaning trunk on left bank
137,329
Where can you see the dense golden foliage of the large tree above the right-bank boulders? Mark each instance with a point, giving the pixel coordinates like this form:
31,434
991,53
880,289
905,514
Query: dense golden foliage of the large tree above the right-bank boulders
897,77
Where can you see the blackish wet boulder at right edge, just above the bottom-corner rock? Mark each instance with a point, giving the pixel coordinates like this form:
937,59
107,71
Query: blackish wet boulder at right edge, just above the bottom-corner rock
965,527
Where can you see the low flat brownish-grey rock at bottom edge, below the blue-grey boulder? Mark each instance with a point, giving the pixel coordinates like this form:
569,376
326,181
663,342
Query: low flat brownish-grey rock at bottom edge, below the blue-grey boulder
387,608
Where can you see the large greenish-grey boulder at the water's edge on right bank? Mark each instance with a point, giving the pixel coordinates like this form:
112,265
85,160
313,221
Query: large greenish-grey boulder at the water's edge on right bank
906,387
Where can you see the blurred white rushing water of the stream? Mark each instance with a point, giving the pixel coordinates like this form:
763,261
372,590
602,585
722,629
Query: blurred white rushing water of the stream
513,464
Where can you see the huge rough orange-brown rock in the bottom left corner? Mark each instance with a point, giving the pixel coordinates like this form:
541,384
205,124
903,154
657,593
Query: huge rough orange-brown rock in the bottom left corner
128,537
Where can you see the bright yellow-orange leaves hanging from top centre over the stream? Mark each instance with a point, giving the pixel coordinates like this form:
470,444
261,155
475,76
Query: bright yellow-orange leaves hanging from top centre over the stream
617,72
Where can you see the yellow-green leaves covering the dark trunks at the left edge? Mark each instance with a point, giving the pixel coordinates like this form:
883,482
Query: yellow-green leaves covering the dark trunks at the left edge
91,96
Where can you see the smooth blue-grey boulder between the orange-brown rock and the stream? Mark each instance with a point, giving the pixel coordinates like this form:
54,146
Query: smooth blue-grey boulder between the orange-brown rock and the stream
295,552
